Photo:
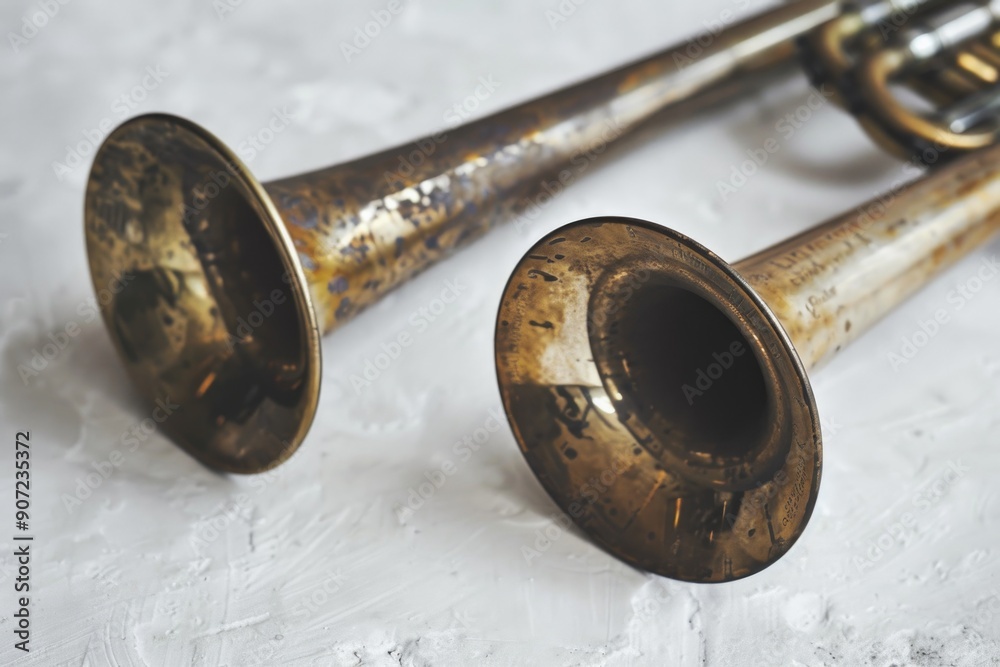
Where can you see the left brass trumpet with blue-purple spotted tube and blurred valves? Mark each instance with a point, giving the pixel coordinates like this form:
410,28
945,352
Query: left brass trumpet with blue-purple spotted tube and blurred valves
229,282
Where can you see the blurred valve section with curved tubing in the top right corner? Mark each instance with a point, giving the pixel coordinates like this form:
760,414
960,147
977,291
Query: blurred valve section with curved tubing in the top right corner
943,53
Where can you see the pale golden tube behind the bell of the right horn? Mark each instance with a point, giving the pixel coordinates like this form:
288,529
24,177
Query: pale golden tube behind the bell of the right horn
827,286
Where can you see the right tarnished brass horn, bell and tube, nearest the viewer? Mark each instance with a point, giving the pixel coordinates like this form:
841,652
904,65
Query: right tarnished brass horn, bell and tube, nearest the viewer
660,394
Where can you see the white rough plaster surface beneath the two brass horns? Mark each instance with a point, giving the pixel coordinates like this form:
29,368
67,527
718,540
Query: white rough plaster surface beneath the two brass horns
165,563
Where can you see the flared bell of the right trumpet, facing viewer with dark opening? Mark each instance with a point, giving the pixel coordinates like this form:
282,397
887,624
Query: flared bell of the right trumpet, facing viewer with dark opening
616,460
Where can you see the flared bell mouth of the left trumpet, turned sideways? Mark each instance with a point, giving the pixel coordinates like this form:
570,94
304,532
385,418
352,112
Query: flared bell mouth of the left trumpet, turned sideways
203,294
